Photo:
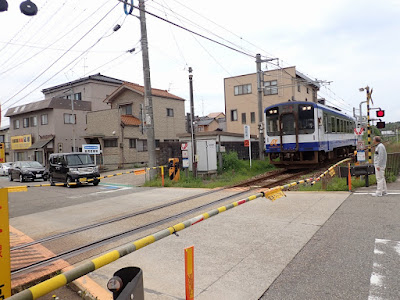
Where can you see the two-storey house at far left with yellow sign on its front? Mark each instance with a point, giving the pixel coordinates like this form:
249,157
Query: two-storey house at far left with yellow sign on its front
40,128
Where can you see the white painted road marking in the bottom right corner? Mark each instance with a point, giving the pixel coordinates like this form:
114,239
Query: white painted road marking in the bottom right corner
384,281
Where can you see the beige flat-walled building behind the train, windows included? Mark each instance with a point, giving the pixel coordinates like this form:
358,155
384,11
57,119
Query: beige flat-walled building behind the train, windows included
241,99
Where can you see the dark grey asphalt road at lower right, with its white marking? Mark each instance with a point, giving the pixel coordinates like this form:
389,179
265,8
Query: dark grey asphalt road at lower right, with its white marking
355,255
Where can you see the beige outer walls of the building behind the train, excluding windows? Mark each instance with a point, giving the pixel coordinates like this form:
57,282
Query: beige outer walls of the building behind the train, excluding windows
247,103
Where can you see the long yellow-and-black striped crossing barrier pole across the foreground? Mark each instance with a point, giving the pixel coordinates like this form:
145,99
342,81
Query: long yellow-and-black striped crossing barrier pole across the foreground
63,279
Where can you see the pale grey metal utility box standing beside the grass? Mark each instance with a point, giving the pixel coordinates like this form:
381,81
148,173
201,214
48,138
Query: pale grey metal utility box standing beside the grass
206,154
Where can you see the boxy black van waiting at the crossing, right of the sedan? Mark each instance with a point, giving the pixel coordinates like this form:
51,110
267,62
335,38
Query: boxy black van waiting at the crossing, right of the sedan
71,167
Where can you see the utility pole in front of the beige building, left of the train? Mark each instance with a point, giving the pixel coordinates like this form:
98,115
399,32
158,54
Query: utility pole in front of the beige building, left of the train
260,80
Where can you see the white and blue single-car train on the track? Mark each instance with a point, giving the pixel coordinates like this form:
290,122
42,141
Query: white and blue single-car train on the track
306,133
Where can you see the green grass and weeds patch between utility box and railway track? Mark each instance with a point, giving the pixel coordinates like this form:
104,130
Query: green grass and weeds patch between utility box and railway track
233,171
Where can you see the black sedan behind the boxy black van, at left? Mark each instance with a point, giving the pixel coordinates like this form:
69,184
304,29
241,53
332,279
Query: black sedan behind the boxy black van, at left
27,170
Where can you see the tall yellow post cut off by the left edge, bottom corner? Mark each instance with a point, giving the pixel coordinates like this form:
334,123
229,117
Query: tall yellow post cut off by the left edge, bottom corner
5,264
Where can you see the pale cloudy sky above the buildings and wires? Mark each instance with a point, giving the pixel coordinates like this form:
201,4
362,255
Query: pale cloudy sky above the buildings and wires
350,44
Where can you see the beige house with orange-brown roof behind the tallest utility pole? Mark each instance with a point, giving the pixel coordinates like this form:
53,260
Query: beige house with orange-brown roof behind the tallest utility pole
119,129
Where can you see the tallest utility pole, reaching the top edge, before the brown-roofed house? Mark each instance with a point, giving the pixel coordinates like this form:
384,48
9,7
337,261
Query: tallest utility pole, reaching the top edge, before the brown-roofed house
148,102
